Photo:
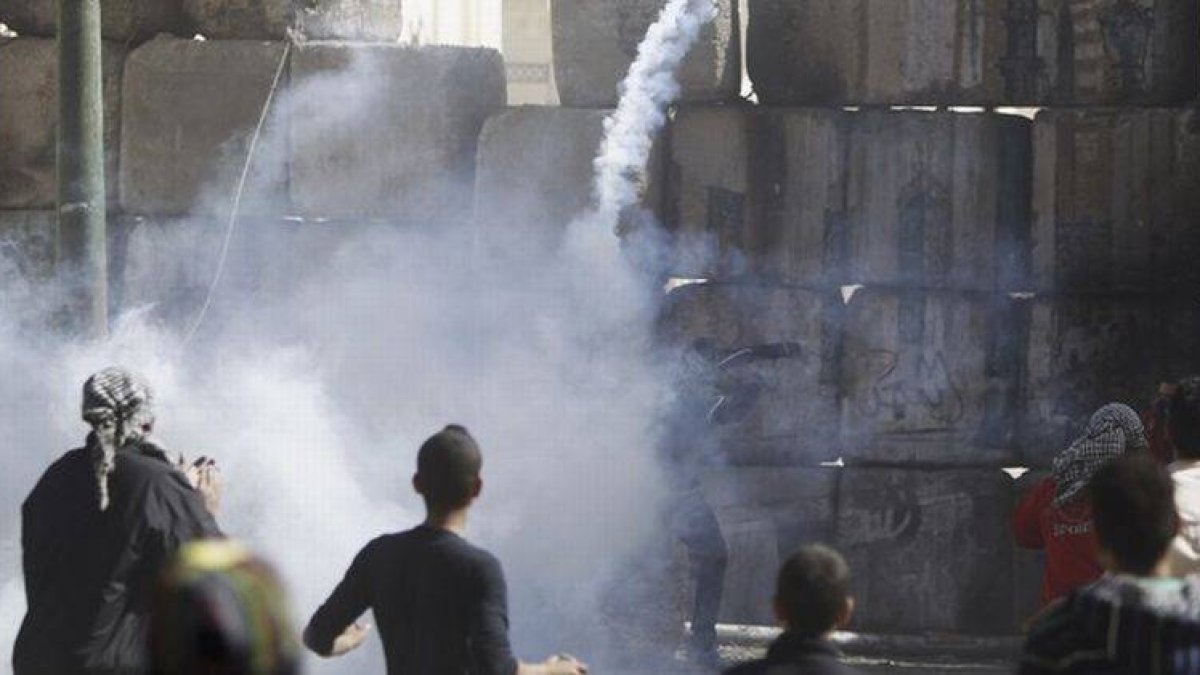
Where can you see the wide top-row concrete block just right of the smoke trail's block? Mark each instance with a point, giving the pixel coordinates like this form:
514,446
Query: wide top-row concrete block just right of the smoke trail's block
817,52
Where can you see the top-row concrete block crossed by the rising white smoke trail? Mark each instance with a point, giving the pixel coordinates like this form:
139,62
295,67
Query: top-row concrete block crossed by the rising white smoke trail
597,43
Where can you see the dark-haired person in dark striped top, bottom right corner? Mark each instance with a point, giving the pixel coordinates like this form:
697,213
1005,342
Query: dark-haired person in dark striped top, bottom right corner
1137,620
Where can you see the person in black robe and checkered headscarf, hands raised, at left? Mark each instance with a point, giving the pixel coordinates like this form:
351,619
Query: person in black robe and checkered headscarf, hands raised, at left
98,529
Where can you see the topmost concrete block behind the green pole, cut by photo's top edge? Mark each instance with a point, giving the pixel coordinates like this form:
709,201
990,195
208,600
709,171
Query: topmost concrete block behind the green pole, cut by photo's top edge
122,21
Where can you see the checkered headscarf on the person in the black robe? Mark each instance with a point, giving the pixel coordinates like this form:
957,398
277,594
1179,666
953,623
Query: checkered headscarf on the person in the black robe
118,405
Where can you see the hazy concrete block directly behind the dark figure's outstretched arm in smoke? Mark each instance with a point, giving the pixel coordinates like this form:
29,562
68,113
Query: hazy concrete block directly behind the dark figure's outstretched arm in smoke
766,360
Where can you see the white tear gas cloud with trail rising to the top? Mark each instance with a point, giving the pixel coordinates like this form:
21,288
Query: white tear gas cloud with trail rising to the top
314,385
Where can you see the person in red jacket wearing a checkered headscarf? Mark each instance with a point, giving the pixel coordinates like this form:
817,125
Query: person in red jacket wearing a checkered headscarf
1057,515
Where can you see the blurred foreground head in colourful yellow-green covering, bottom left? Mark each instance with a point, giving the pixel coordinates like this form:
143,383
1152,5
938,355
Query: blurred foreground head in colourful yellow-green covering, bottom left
220,611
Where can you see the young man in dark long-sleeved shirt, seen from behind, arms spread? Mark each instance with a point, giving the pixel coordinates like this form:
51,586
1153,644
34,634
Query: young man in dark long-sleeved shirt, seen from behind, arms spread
441,602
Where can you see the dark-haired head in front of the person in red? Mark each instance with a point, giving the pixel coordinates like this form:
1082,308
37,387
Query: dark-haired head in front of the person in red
1133,506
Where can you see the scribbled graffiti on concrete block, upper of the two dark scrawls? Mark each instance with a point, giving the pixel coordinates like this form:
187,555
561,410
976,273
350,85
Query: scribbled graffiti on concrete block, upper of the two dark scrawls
928,392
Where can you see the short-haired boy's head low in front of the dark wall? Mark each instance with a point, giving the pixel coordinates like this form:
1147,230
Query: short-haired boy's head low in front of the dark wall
813,593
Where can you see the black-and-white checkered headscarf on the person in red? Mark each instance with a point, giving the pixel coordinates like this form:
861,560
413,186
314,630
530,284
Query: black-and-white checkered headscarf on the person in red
1114,431
